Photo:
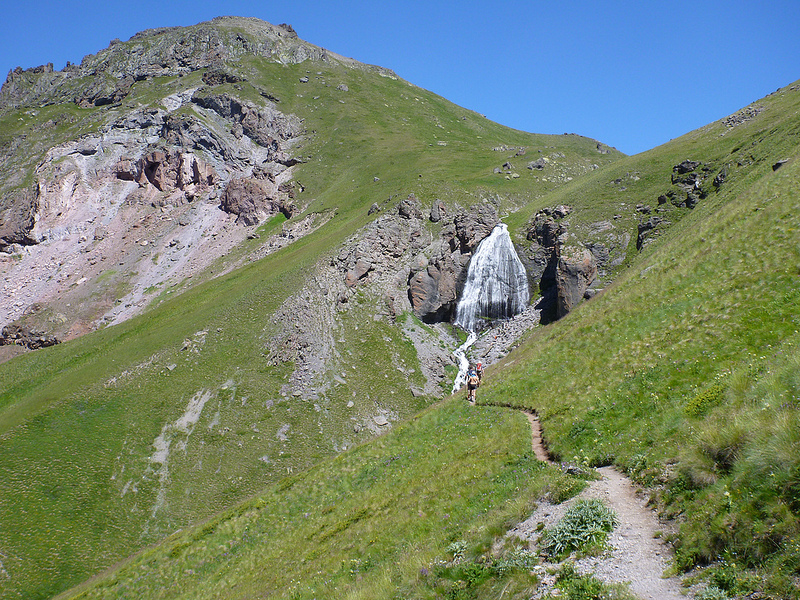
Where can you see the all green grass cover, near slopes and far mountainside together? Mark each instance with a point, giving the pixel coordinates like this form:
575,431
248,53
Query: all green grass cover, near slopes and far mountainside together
163,458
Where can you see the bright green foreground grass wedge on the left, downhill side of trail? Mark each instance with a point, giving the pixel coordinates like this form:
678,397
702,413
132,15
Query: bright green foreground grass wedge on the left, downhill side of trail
367,524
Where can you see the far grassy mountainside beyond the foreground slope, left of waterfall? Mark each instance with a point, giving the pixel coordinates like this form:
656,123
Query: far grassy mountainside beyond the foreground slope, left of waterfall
78,490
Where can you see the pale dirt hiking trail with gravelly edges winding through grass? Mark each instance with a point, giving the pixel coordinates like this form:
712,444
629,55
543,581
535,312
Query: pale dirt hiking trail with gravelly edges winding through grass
635,556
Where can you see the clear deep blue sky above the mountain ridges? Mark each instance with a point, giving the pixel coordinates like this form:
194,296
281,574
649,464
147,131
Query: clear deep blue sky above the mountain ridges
632,74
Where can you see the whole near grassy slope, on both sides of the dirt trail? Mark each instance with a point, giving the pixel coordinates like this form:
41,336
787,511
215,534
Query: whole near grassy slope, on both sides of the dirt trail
685,372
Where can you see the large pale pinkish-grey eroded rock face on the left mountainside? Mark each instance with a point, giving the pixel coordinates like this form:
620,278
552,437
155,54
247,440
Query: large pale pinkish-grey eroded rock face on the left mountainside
144,190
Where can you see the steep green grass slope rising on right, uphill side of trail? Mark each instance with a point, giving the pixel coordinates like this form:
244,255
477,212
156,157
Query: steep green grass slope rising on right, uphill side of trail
685,371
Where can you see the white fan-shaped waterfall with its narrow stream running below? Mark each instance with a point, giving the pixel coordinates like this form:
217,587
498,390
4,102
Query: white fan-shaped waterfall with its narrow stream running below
496,288
